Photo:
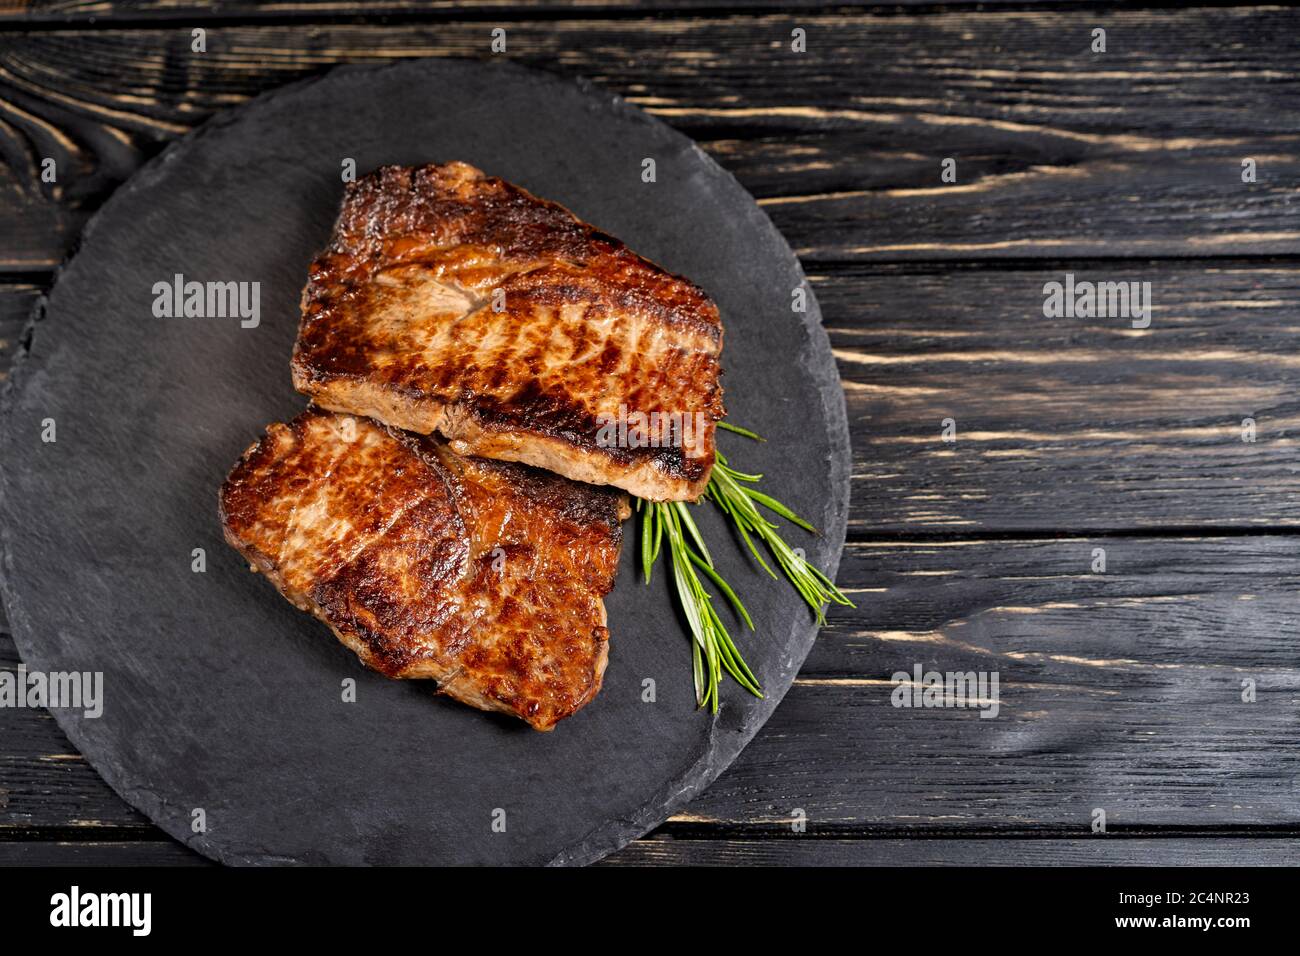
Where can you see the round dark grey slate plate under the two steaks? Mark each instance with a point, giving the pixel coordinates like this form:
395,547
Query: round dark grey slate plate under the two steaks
218,695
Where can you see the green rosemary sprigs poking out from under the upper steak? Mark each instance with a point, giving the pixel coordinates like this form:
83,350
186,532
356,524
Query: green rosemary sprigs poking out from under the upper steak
713,648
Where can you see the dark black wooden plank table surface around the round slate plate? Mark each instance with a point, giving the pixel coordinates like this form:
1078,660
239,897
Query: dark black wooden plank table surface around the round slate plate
1121,690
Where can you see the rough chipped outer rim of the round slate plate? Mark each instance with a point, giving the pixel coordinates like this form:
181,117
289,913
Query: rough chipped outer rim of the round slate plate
822,369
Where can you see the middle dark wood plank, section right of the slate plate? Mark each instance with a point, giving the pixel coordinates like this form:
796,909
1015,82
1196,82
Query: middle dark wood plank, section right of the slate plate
1068,423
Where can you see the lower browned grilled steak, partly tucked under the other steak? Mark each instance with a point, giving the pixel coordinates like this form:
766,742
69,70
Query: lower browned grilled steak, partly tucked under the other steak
487,577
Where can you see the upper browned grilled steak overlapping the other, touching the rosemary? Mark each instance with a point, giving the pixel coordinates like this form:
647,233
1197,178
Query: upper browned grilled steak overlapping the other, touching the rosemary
453,302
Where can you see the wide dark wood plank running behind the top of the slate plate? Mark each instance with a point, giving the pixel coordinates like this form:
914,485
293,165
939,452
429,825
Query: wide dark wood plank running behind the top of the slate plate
1060,152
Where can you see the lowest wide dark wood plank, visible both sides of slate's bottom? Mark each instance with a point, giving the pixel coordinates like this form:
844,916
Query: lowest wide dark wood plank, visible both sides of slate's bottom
1119,691
